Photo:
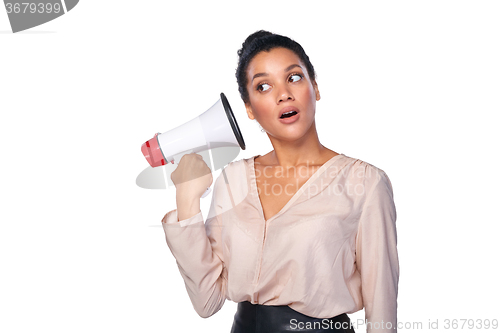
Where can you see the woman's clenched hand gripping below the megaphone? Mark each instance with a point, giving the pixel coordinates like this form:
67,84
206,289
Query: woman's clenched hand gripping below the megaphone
192,177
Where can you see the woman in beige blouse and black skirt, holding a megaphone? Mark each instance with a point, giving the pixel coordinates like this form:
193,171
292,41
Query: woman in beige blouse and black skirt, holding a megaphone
298,237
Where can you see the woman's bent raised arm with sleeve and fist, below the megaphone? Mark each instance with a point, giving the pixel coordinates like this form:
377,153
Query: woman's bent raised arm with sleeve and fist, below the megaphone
195,245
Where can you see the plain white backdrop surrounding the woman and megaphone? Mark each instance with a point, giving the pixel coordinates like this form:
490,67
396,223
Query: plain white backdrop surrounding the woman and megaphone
410,87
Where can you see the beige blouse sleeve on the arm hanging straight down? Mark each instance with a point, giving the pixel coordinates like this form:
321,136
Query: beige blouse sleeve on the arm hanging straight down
376,254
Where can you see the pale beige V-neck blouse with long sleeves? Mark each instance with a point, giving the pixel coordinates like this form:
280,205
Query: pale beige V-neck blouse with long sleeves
330,250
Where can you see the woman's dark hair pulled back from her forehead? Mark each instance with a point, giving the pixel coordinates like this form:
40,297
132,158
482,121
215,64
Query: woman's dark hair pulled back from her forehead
265,41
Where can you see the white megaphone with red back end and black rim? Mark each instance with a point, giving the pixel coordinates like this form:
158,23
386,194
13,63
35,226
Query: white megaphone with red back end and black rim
214,128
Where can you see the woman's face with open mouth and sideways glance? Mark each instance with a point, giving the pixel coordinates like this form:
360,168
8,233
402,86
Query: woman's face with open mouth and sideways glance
278,84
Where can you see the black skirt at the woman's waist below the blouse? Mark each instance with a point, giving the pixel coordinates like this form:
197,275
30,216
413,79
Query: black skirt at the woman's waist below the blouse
256,318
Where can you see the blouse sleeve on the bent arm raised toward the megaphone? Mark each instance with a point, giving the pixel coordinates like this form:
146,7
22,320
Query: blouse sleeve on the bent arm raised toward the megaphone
197,249
